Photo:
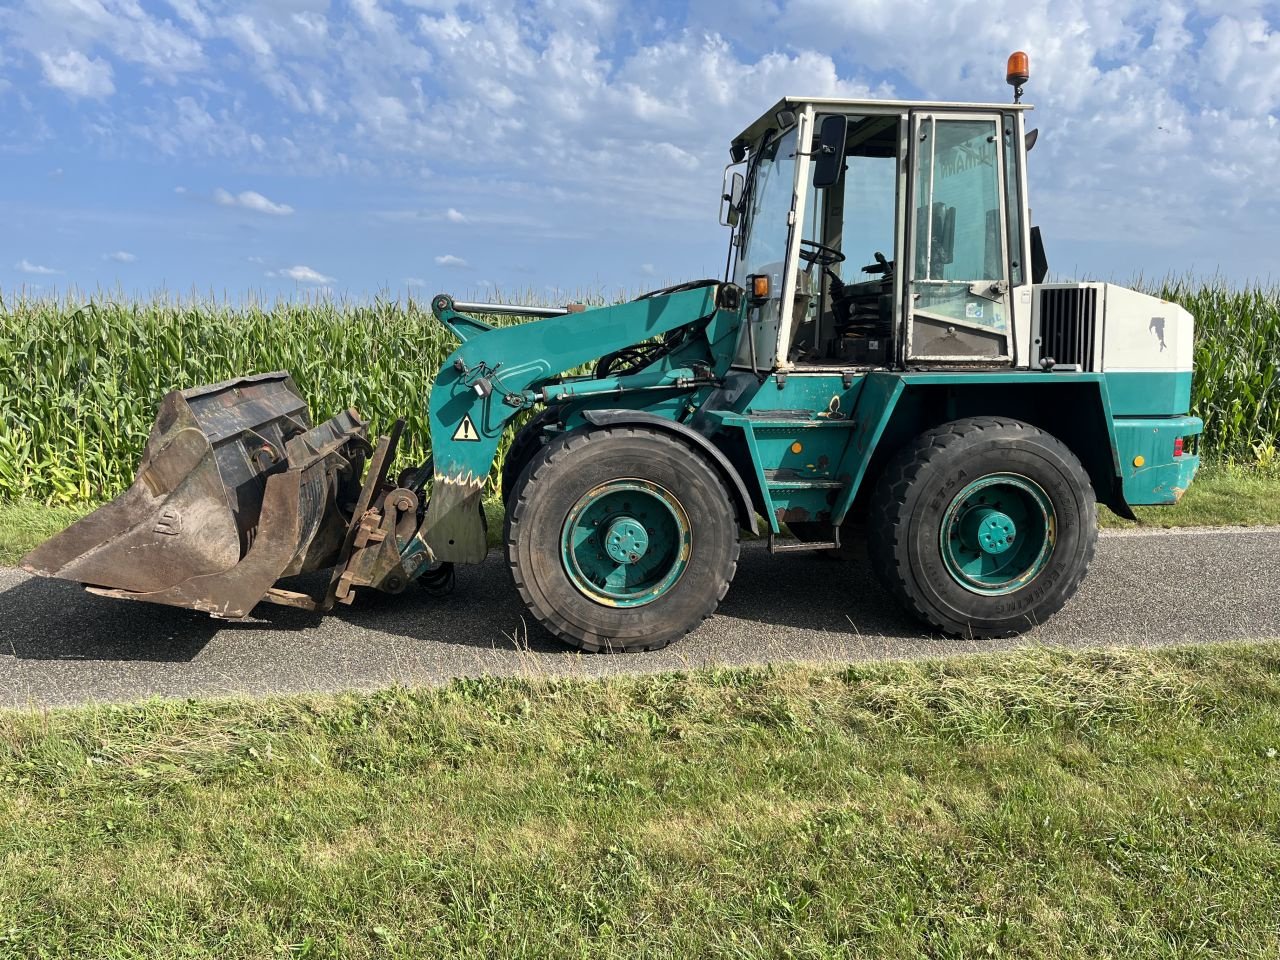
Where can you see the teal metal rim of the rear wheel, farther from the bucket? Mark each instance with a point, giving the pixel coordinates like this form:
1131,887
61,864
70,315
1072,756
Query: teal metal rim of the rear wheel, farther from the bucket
999,534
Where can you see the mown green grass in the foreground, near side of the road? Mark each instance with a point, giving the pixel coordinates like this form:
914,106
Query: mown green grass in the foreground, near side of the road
1036,804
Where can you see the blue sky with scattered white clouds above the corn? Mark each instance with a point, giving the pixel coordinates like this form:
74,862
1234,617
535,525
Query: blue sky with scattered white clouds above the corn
578,145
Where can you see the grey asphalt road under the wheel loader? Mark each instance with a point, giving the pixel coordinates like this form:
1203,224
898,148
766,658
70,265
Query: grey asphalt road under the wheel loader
62,646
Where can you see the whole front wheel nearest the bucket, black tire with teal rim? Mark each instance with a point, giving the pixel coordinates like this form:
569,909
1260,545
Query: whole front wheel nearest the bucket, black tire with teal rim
621,538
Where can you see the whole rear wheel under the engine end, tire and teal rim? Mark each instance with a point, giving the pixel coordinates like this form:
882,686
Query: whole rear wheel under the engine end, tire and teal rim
984,527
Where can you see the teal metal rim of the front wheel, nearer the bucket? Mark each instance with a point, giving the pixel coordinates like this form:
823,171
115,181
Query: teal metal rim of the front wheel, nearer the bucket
627,543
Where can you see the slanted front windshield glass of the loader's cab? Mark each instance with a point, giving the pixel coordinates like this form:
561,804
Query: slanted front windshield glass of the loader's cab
767,208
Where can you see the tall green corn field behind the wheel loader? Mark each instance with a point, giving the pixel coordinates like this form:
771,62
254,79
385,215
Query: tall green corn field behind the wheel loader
80,378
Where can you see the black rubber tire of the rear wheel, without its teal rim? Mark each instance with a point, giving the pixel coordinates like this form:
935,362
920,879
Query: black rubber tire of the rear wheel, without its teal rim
911,506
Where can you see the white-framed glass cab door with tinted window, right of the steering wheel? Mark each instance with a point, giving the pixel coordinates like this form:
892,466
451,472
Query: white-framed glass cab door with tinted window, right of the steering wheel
958,300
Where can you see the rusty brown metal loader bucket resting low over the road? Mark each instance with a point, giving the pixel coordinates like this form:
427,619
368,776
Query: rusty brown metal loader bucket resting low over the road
236,490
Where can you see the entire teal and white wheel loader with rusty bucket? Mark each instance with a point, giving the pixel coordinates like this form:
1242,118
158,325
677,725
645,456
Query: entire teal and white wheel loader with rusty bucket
884,360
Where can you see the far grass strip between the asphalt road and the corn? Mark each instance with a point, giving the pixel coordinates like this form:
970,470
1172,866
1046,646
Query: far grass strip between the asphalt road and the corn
1222,496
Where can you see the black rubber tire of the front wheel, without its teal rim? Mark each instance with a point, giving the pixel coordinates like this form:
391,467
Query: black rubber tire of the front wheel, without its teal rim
559,481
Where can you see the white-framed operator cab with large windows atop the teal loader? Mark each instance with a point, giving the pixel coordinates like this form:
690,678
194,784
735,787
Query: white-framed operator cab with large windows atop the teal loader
889,235
